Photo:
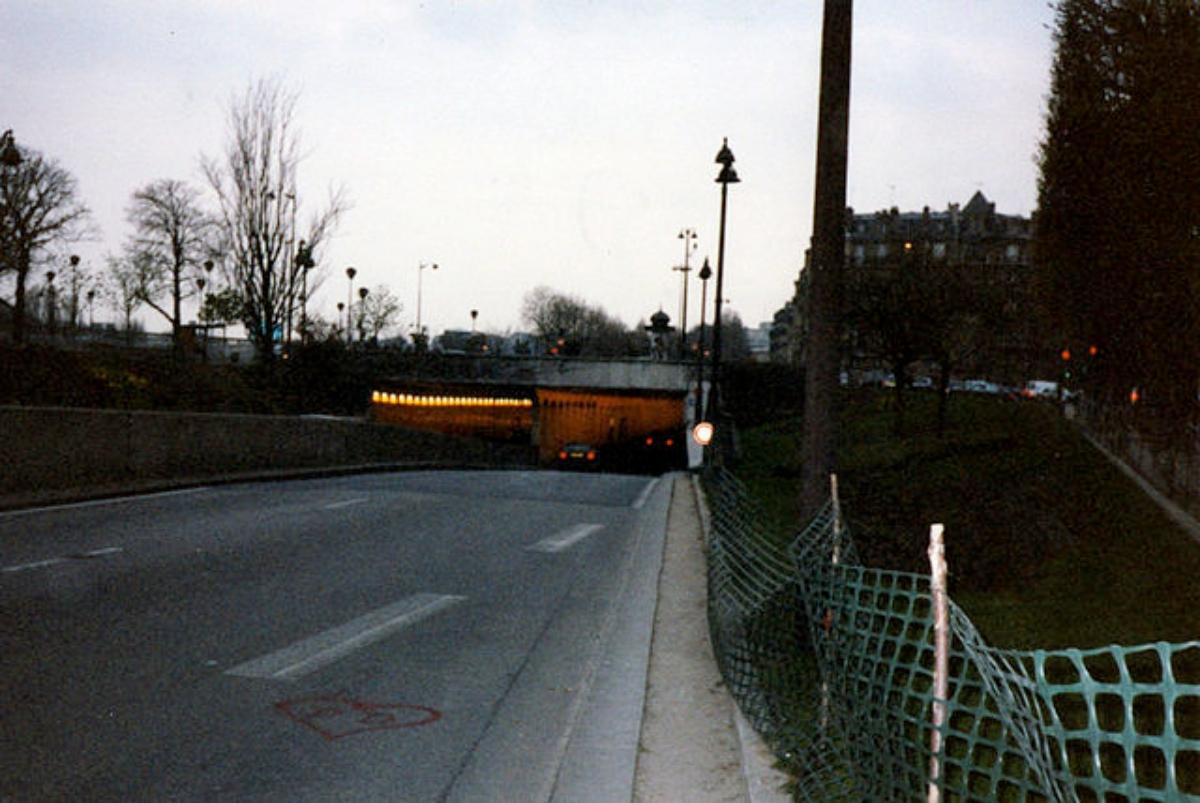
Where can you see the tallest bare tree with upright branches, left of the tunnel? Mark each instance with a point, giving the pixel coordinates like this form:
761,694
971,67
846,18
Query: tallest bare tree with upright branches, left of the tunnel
256,185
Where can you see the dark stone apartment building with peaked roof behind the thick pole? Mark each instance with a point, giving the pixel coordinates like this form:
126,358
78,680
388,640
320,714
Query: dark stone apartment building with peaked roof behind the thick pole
993,248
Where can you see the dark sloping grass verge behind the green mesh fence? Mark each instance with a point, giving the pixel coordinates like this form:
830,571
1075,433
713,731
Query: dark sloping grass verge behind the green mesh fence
1049,544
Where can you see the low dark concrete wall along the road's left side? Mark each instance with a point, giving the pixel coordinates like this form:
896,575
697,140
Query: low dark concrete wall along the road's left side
53,448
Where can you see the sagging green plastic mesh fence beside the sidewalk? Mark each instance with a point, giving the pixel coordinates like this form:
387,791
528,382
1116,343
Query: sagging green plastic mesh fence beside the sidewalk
832,662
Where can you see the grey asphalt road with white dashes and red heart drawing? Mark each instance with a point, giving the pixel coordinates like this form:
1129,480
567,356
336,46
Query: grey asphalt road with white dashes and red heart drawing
413,637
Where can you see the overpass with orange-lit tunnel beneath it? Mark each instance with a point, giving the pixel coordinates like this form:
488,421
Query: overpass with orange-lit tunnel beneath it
632,411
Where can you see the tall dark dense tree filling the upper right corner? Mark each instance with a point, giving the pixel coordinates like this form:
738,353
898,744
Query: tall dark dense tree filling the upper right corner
1119,208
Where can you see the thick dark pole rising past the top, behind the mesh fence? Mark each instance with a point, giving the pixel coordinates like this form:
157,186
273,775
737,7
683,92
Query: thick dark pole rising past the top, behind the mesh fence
829,257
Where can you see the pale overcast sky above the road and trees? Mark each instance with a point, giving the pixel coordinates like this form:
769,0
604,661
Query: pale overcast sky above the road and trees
520,143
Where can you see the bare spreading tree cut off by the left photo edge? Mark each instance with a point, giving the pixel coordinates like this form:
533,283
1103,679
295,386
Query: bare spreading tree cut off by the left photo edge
39,208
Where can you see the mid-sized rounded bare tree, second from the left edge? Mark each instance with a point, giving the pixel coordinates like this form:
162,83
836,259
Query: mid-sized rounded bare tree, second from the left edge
172,237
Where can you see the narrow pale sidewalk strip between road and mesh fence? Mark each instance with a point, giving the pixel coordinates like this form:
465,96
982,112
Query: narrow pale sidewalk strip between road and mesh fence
695,745
